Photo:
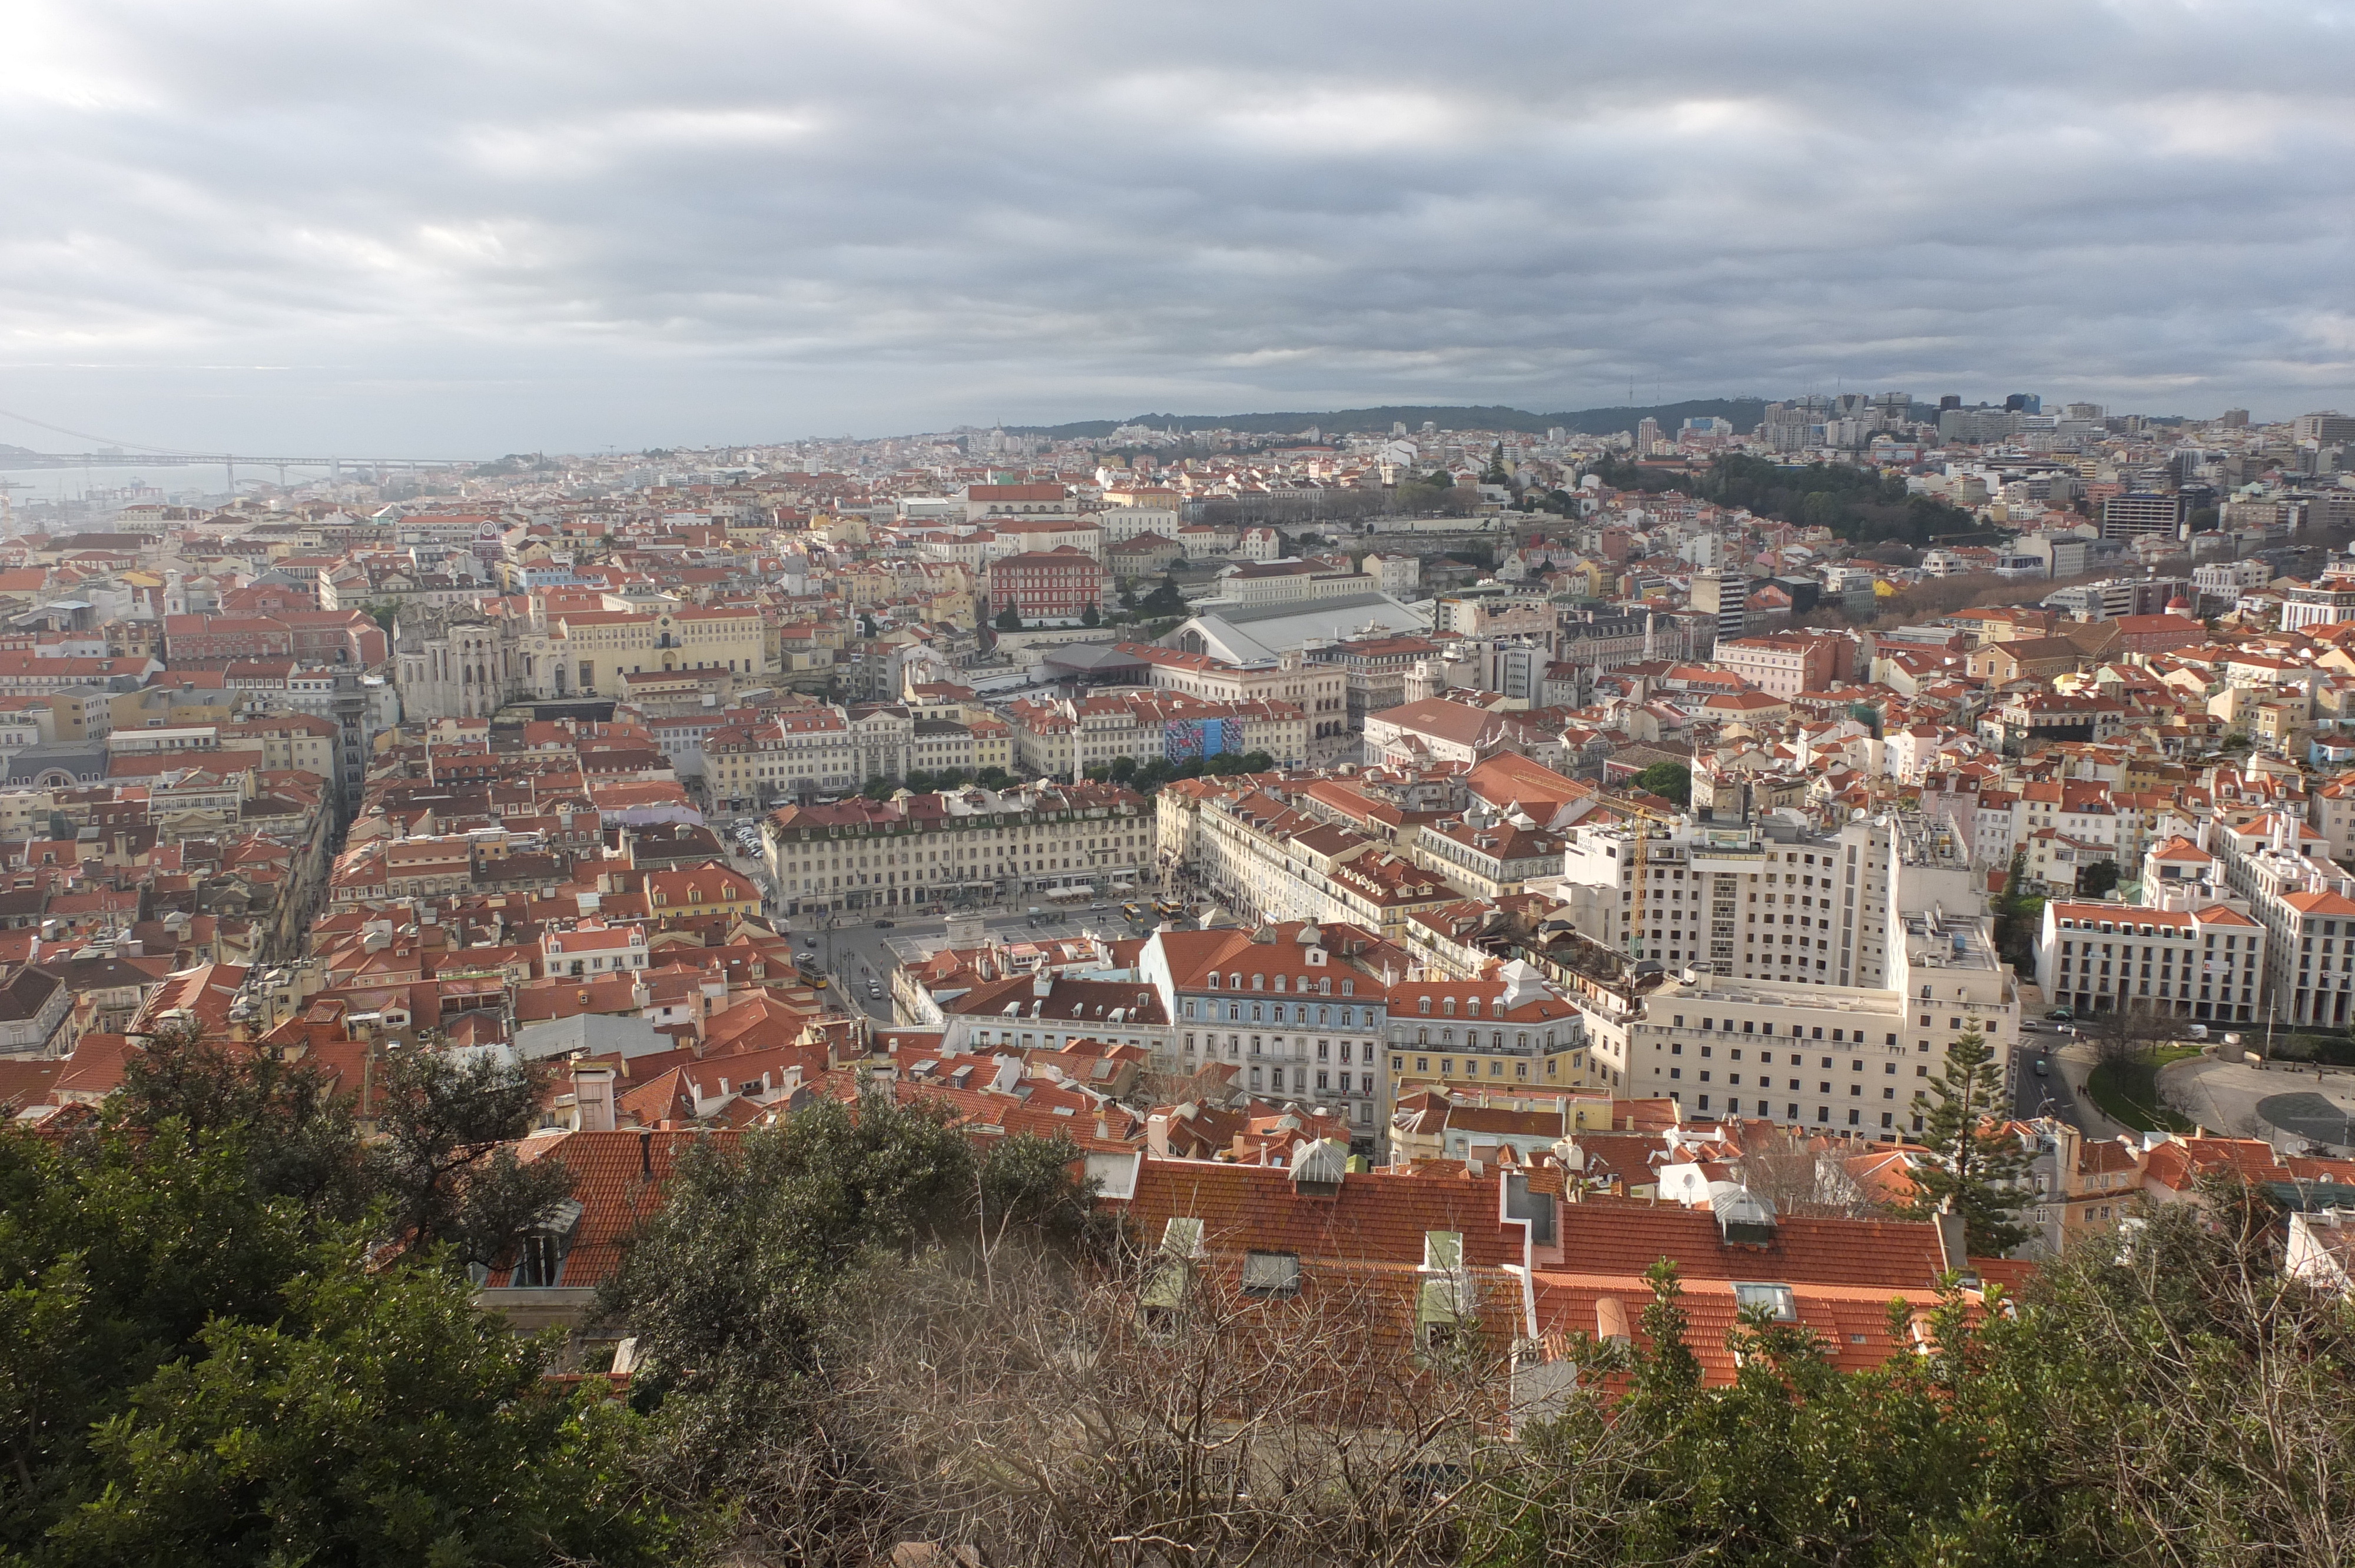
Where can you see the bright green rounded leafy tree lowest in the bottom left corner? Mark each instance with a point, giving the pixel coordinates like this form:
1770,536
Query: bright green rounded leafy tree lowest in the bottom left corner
380,1418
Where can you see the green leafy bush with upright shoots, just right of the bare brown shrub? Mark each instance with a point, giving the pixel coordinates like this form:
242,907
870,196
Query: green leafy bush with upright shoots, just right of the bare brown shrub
1930,1459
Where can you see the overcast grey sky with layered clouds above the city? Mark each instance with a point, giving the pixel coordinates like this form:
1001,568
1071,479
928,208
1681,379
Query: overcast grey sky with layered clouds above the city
467,230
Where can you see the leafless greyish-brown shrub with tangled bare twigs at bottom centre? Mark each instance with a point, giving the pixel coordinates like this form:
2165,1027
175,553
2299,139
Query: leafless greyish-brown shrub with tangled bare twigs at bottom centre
1052,1418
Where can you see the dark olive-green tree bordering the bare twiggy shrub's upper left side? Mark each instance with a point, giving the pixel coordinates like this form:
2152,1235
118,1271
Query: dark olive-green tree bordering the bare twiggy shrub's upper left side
762,1249
